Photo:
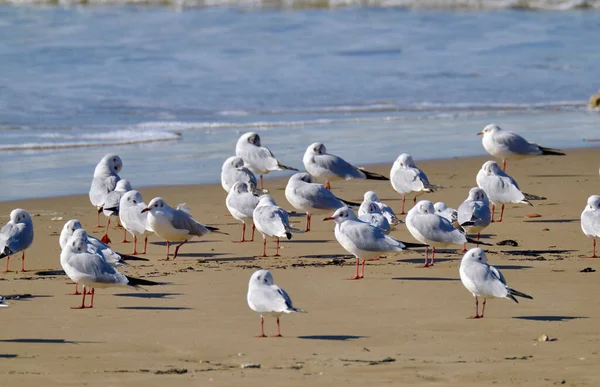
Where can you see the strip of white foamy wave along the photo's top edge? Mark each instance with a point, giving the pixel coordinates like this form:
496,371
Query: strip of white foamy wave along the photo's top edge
553,5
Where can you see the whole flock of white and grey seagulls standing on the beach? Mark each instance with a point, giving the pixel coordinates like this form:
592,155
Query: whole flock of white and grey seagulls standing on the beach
91,263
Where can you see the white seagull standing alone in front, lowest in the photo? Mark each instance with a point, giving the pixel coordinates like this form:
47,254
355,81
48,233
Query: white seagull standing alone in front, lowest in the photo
265,297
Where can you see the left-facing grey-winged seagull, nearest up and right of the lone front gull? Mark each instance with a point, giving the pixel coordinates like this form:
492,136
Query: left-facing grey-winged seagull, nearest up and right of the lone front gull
363,240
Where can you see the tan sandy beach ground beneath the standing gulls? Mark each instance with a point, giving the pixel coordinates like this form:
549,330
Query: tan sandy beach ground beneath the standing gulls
200,325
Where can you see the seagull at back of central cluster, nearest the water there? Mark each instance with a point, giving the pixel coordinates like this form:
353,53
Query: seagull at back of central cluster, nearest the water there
257,158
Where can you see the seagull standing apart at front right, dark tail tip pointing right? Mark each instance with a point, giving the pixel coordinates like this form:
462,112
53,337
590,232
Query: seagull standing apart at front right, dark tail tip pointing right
483,280
